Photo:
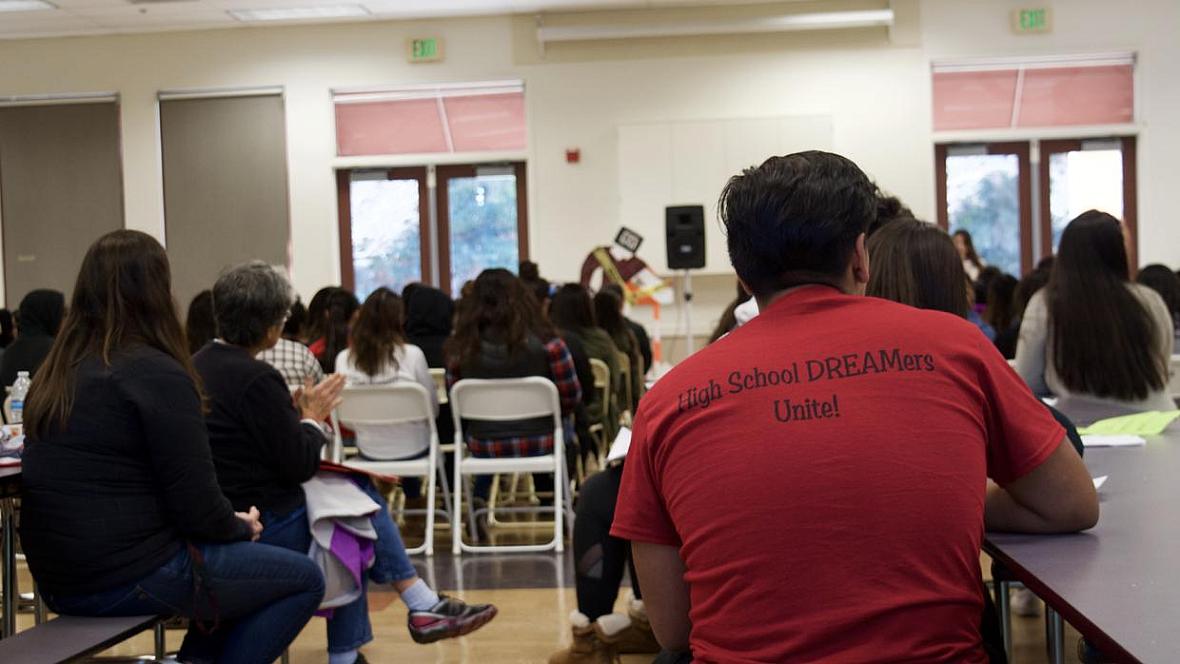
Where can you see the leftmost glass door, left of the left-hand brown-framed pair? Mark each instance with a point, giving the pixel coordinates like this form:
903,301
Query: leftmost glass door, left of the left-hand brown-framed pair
384,236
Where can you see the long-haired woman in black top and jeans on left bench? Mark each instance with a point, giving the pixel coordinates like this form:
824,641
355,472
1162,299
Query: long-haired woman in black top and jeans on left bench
121,511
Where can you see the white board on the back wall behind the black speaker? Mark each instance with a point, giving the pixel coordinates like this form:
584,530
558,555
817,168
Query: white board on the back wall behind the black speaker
689,163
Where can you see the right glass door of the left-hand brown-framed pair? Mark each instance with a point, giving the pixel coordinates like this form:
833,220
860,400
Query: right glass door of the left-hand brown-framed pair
482,221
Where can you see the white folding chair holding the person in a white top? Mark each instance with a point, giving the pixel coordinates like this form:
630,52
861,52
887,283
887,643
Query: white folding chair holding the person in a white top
392,405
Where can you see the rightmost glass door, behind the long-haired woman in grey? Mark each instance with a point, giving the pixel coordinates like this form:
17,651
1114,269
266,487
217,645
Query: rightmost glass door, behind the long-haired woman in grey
1086,175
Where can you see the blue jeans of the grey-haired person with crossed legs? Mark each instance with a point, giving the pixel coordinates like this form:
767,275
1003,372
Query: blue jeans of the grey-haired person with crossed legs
350,627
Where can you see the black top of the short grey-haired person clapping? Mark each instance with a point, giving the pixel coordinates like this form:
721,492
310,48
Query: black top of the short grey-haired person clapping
261,449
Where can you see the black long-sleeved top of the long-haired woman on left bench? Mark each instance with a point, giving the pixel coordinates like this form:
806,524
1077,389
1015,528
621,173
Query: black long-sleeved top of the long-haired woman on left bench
113,496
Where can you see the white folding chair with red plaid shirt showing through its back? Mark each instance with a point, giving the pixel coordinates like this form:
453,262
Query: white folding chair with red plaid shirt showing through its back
506,400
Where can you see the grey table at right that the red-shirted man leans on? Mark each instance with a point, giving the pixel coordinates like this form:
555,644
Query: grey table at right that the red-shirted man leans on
1119,583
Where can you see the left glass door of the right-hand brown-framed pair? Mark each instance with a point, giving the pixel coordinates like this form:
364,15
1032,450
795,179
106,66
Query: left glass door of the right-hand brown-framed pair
986,190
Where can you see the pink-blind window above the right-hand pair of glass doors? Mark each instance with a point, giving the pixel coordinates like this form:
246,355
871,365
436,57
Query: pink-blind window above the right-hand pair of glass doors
1040,96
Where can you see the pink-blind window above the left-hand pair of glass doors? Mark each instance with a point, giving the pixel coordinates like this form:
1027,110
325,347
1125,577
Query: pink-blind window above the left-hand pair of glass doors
486,117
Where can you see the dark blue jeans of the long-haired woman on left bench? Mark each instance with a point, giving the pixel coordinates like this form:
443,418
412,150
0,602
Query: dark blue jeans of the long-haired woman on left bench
259,596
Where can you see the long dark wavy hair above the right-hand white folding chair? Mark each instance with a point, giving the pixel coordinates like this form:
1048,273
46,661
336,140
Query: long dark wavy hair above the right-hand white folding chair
500,311
